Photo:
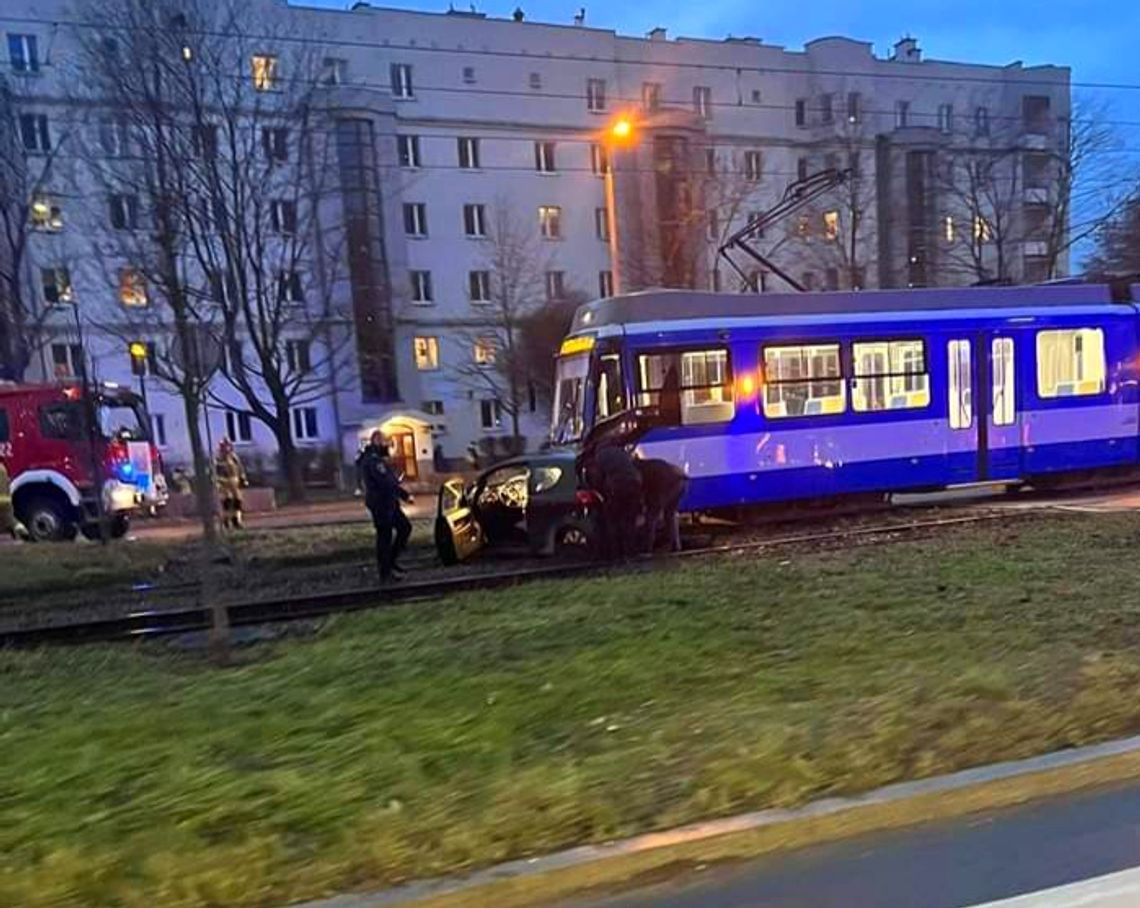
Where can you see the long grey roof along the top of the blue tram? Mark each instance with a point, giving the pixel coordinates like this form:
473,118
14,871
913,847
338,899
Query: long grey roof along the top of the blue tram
679,305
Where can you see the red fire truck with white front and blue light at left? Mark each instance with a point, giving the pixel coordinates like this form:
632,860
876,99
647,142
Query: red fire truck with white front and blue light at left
69,452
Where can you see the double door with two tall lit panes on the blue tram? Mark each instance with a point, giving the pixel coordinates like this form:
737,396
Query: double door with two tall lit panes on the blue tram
984,418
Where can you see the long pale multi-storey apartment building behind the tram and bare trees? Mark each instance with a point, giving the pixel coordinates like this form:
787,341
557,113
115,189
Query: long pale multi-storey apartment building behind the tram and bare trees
471,180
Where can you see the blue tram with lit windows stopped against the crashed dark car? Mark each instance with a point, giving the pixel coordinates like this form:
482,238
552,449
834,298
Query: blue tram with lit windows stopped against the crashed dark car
781,398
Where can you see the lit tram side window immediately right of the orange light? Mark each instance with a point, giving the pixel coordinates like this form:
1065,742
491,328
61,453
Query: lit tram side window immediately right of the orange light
803,382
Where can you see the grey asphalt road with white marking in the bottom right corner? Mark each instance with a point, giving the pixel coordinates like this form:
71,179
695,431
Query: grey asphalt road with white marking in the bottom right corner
972,862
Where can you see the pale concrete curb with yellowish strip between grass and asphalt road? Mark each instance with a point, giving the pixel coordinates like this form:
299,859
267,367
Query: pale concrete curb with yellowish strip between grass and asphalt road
542,881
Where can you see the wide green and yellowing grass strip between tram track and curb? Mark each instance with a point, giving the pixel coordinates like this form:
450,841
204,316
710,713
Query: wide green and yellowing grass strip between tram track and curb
421,741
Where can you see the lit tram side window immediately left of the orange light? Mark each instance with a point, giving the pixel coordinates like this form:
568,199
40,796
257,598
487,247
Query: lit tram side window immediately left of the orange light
690,387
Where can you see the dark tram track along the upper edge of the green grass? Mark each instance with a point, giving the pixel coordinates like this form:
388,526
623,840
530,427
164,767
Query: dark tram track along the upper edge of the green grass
164,623
